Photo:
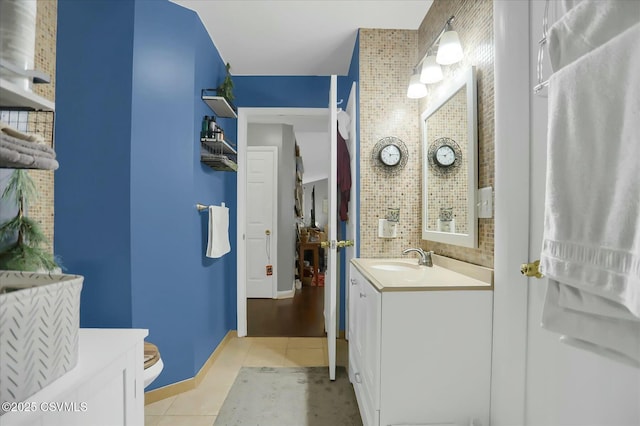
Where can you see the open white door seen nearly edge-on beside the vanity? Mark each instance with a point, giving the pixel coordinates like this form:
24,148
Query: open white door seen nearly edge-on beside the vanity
331,282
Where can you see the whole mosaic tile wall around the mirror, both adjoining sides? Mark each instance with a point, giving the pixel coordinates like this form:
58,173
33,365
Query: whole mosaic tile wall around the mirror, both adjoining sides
387,58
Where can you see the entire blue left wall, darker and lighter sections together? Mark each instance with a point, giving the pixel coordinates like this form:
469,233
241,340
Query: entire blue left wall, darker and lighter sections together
144,207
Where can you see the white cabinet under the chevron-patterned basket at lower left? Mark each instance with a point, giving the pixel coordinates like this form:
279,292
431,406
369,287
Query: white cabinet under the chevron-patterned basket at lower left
106,387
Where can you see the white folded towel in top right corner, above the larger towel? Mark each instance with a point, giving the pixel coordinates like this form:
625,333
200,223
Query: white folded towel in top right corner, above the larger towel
589,24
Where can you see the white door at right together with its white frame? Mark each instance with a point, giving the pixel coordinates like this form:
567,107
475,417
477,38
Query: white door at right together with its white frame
536,379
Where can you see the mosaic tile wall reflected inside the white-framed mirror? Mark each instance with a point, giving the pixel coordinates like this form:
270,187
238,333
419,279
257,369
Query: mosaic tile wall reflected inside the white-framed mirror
449,190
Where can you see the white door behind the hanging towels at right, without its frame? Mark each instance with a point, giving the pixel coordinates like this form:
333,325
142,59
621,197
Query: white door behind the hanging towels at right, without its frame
565,385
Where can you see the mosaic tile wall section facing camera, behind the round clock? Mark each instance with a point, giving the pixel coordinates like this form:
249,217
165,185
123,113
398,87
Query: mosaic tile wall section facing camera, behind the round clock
386,61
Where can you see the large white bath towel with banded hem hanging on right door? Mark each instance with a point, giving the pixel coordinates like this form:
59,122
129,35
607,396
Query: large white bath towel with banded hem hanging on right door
591,242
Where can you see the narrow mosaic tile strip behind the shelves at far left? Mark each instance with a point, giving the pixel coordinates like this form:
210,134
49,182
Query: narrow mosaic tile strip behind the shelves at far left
45,60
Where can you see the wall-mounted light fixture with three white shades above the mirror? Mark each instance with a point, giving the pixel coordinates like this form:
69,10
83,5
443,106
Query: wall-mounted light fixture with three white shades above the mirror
449,52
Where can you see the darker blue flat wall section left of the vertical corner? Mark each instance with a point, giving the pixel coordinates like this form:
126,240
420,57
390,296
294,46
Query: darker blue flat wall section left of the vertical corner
92,134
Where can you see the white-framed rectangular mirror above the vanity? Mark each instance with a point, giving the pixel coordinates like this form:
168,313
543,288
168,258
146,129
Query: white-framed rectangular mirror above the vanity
449,164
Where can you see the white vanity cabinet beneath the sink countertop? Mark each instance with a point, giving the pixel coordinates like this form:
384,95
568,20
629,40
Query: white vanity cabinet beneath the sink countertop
419,356
